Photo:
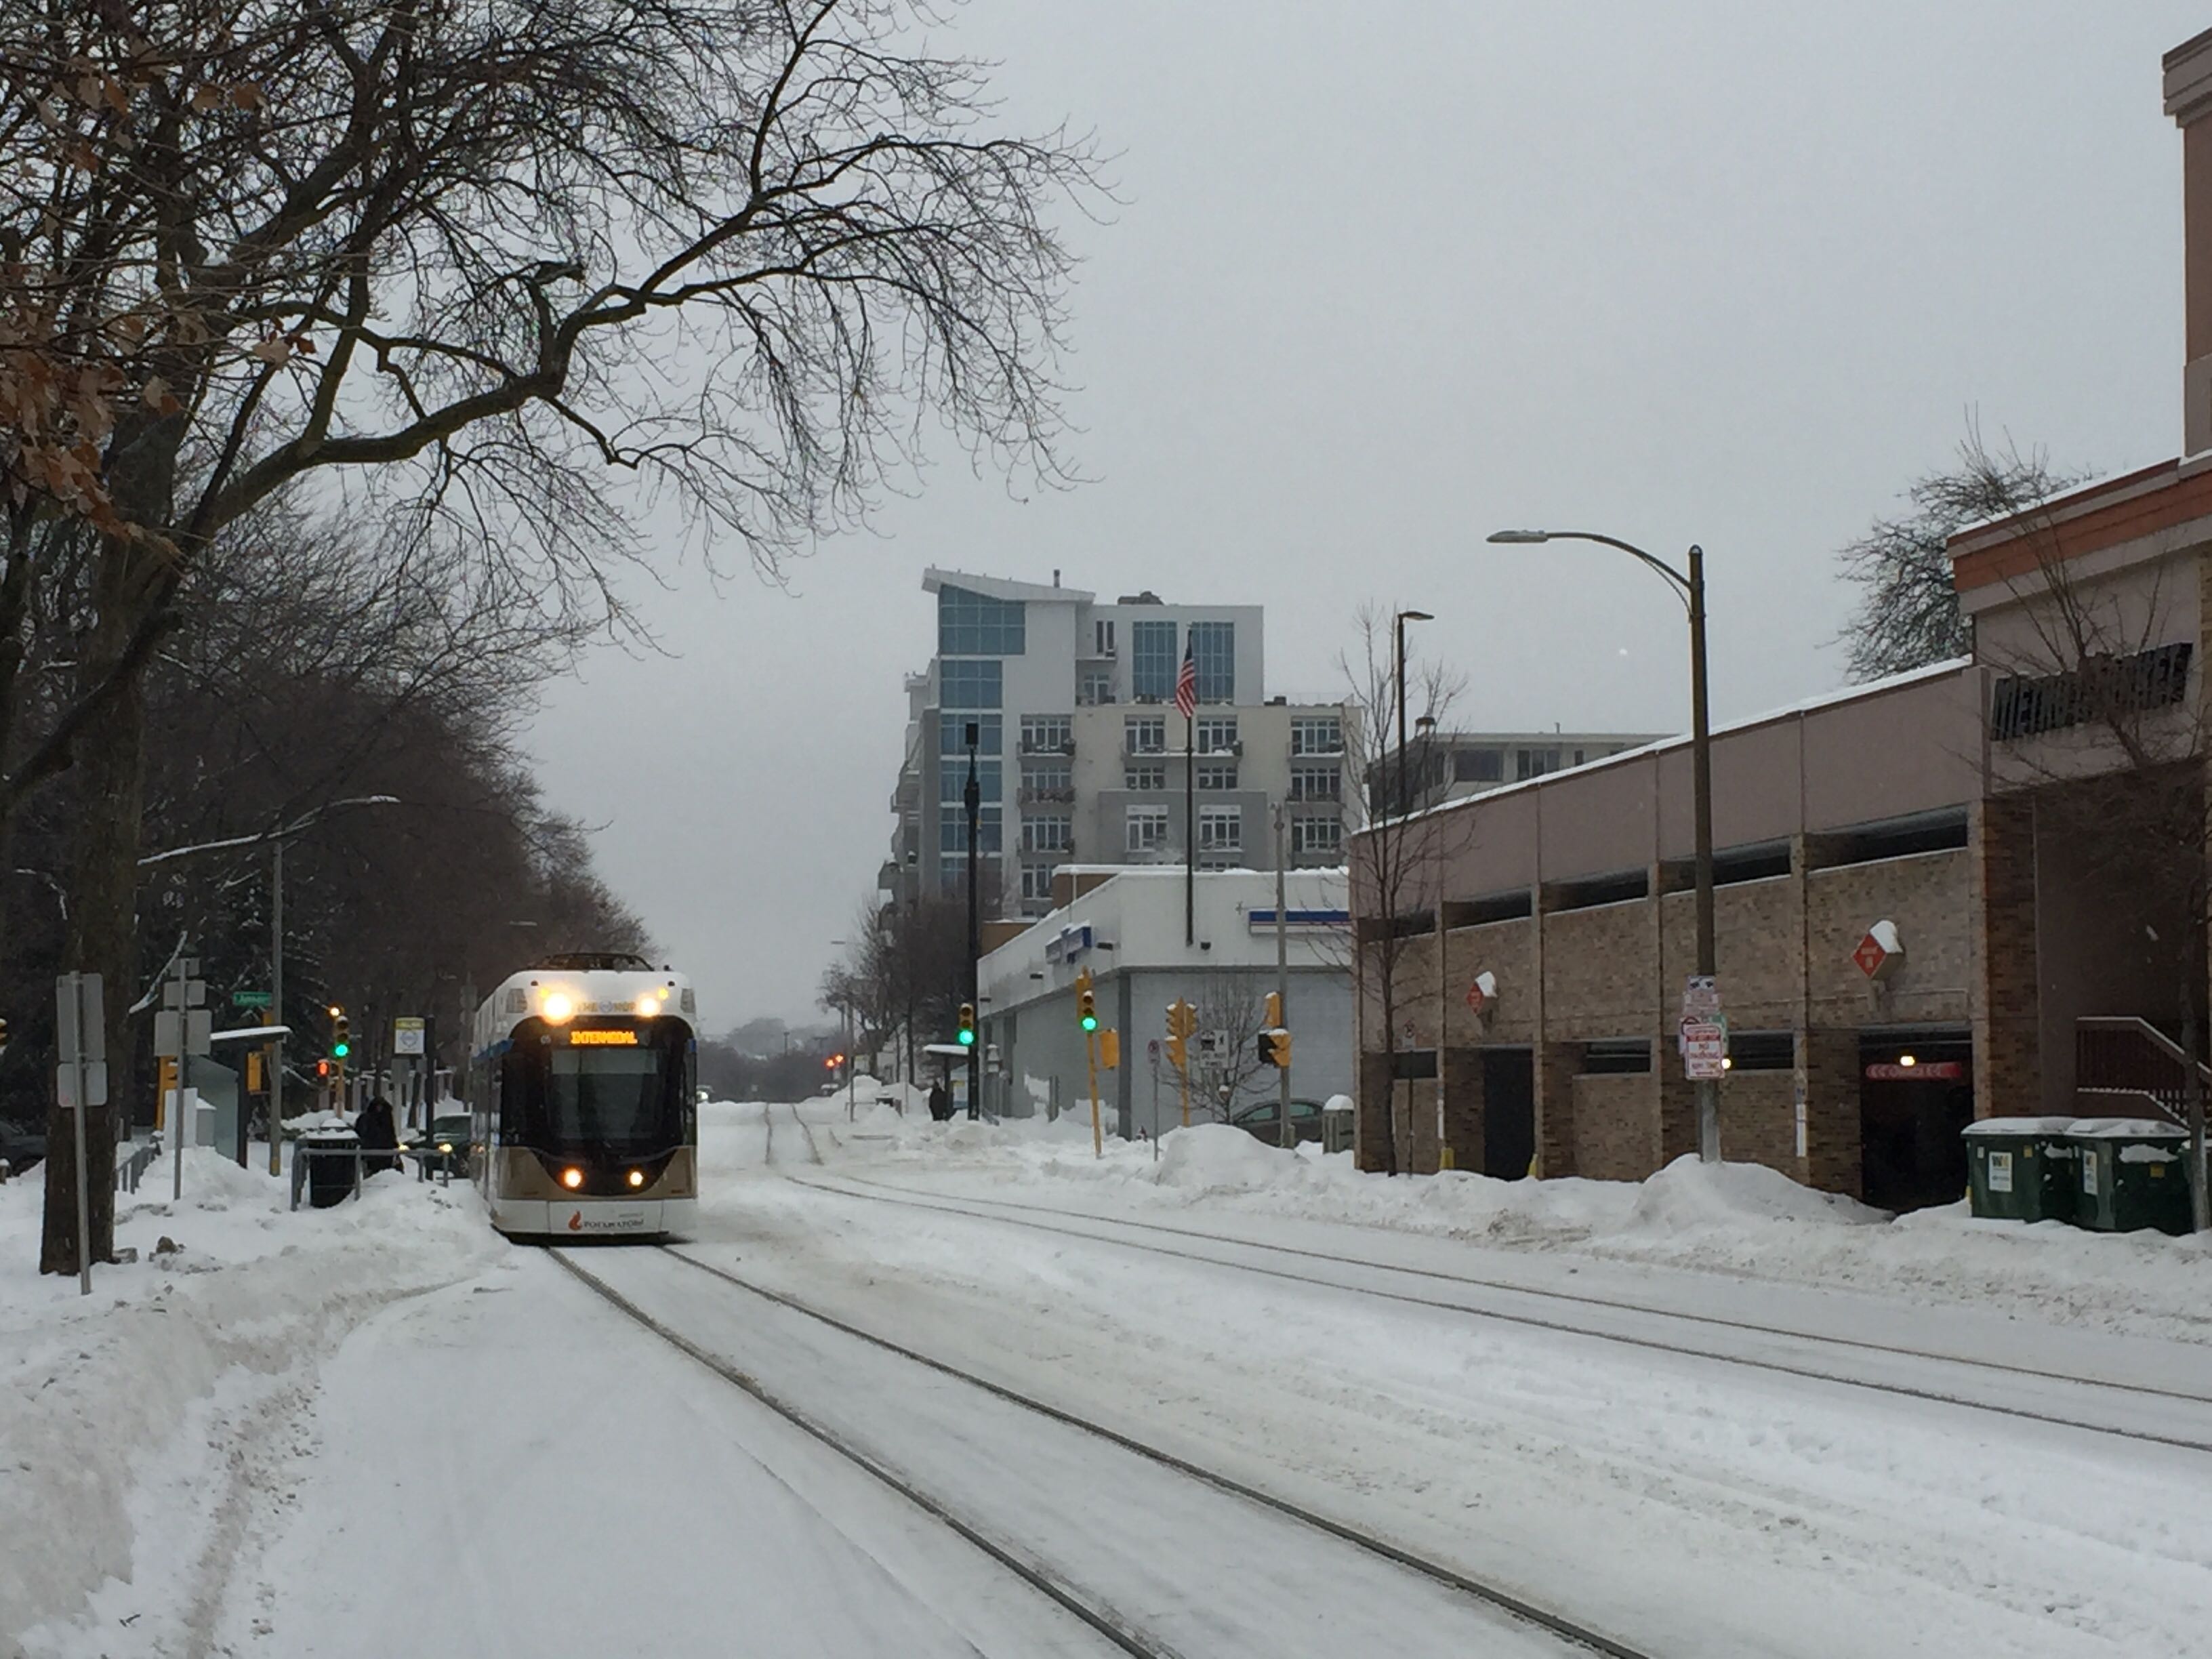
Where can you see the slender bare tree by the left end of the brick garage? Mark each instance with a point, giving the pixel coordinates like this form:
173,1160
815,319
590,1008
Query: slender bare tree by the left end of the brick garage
1399,848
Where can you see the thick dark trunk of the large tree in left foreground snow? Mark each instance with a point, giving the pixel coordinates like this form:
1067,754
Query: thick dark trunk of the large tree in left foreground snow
103,915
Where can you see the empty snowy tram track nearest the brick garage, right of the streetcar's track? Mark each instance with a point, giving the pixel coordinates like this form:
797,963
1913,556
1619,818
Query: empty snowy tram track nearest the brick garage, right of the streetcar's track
1587,1315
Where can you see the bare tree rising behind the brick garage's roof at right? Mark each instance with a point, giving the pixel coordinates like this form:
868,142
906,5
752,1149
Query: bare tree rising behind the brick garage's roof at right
1908,612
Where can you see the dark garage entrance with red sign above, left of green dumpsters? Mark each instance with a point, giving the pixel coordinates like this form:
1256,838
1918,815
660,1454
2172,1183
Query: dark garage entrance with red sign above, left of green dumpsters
1914,1098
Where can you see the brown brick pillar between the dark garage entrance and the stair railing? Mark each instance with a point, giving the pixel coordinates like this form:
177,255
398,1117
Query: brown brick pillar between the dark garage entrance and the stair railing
2007,1067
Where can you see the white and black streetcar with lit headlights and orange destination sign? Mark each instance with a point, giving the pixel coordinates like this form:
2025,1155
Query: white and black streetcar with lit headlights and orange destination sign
583,1118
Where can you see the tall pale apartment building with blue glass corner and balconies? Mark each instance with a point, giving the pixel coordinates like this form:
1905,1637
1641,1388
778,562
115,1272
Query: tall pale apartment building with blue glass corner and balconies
1081,751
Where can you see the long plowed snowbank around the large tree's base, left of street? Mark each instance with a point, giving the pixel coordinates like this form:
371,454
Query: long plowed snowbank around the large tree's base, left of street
196,1344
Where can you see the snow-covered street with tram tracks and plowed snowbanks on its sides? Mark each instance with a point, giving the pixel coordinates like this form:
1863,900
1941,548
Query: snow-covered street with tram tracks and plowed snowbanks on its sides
1693,1417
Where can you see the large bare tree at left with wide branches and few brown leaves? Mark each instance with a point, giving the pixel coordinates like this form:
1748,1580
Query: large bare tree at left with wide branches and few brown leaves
459,262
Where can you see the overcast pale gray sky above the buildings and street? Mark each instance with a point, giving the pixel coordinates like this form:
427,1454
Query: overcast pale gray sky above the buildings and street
1399,273
